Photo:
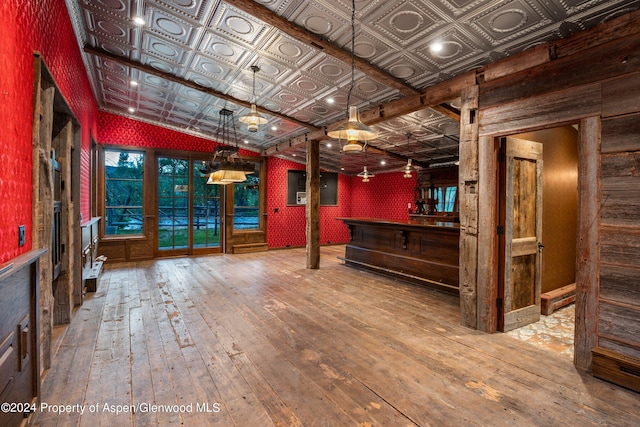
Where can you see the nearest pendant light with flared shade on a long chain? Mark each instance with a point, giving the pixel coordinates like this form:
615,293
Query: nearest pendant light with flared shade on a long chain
354,130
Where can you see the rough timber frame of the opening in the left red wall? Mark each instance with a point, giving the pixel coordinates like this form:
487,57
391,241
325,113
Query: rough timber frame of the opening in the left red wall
55,126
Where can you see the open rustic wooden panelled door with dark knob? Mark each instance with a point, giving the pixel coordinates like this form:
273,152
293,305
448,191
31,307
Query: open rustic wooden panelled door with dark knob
522,253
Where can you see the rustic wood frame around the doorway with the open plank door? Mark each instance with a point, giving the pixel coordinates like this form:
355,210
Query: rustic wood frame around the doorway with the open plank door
587,261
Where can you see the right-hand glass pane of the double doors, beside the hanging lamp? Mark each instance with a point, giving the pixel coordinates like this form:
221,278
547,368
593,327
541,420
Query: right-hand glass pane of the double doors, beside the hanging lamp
206,226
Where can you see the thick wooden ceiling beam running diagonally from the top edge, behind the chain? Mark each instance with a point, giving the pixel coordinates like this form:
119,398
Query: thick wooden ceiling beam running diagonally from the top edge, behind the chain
298,32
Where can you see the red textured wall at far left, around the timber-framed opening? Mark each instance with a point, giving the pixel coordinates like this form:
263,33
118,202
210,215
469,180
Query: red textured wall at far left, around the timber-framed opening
27,26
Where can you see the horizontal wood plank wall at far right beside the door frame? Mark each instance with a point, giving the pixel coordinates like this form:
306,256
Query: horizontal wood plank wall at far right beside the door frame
619,297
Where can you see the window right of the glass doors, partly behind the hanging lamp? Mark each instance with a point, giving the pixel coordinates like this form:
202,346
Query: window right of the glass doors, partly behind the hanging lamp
246,201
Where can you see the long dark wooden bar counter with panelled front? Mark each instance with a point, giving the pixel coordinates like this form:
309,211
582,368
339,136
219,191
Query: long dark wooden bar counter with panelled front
420,251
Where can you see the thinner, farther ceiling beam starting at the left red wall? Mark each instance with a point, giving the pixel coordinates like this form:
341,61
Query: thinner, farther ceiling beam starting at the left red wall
184,82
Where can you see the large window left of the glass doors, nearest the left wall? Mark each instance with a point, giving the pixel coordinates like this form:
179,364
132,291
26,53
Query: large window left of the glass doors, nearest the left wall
123,192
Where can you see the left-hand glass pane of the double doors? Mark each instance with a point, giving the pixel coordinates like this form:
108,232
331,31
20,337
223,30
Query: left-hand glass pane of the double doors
173,204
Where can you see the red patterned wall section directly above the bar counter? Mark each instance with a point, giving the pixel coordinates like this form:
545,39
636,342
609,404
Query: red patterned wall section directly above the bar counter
385,196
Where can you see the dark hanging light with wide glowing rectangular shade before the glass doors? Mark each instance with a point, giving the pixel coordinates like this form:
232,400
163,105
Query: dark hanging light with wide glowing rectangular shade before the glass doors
226,167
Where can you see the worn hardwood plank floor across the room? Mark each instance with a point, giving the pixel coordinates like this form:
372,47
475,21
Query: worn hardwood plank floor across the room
258,340
